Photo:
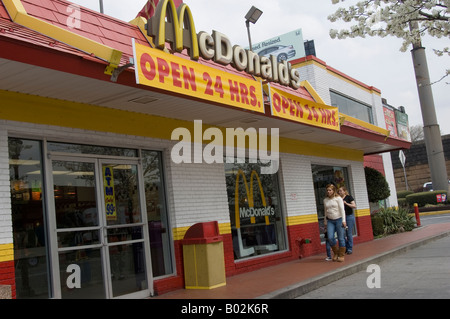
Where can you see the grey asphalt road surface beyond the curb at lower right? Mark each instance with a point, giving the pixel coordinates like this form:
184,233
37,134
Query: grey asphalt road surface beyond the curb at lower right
421,273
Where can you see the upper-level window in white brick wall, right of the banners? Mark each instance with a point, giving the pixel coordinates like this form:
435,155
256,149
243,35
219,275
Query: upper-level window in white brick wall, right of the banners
352,107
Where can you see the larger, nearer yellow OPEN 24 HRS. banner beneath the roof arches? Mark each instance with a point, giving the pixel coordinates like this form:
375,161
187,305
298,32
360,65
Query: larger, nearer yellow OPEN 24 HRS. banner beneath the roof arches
171,73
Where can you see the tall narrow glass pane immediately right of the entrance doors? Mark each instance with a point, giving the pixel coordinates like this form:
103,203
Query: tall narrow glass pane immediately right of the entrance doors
158,226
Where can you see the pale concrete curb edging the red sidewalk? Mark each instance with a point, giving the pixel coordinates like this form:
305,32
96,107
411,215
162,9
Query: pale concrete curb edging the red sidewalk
296,290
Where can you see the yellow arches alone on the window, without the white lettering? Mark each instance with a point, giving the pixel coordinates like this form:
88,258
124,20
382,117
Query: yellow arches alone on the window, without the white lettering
249,193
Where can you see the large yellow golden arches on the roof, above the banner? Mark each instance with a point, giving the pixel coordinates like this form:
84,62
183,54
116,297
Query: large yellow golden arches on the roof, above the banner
179,25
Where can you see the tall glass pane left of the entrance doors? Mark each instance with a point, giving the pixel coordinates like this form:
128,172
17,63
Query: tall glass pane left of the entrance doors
28,219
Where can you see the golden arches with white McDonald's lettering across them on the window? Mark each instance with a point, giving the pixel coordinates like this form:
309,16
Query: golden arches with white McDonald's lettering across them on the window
251,212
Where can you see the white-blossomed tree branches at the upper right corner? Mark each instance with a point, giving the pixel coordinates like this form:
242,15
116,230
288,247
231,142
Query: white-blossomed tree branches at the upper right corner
408,20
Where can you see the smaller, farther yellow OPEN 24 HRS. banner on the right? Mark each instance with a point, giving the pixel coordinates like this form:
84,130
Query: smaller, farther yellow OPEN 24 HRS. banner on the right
294,108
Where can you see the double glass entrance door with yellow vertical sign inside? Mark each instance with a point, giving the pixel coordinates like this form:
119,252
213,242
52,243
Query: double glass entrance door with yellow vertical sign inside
100,235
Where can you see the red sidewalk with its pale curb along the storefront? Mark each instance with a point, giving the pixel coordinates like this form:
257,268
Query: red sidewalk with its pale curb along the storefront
292,279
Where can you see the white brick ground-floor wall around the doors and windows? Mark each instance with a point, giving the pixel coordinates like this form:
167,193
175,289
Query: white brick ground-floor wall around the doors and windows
195,192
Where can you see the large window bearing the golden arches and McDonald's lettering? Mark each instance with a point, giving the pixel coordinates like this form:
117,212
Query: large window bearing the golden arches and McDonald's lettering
255,210
